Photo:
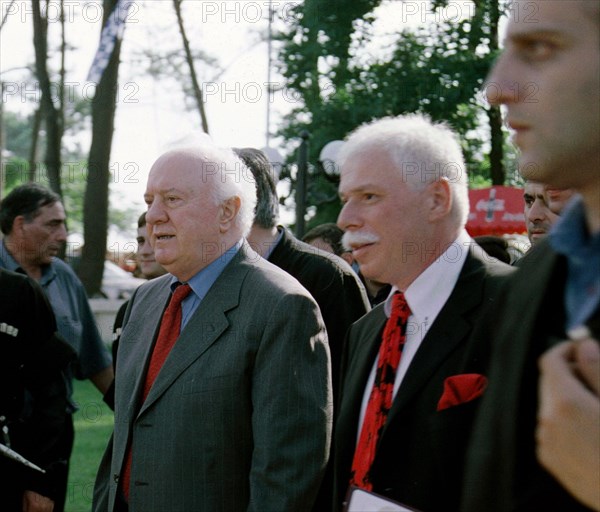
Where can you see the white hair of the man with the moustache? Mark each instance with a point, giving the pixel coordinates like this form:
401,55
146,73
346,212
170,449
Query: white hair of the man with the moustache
422,151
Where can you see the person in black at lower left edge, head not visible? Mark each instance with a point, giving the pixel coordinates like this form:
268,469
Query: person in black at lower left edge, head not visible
33,396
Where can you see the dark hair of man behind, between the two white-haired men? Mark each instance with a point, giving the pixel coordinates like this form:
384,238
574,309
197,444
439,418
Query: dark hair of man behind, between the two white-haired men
266,213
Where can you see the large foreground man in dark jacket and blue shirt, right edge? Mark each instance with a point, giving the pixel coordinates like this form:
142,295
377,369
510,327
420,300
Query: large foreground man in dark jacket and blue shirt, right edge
556,292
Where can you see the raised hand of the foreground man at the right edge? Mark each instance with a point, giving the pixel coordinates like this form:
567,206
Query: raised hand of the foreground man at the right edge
568,431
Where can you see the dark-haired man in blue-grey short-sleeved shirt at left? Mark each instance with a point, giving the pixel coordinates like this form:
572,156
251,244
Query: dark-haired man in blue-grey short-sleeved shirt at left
32,219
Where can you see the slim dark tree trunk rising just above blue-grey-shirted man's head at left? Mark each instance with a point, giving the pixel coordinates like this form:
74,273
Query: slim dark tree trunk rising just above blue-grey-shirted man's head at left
51,114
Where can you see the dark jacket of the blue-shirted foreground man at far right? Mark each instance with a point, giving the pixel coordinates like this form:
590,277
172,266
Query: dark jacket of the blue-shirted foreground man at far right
502,470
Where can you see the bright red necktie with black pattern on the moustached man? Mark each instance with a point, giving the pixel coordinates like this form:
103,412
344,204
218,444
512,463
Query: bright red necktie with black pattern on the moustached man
380,400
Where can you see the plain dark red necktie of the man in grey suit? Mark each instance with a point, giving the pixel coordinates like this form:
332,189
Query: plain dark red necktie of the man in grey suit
168,333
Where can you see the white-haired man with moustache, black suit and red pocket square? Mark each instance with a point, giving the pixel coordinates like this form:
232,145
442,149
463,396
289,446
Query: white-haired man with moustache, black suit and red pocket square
410,383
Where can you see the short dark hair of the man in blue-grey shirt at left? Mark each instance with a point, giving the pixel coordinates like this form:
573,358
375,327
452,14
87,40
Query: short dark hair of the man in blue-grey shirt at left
25,200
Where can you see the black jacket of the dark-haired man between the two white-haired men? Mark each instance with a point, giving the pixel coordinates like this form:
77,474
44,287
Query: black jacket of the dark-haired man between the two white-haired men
337,289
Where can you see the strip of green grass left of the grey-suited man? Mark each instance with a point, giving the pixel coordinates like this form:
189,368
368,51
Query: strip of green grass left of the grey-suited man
93,426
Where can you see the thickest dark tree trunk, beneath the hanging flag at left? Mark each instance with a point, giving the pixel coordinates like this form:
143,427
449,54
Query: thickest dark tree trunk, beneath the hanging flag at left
95,208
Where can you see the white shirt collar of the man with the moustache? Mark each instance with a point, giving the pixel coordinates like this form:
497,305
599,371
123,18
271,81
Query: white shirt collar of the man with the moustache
428,293
